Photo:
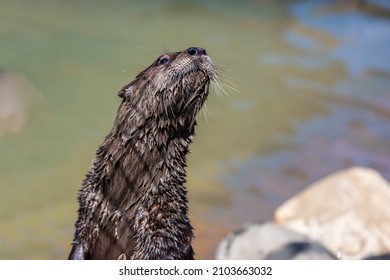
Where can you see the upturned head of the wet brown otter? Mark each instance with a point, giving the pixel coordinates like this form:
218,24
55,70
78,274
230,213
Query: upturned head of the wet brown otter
174,86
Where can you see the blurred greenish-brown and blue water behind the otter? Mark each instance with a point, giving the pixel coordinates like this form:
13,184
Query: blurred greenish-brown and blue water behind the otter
314,97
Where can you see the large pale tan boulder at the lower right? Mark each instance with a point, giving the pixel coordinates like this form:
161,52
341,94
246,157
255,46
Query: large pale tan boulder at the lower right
348,212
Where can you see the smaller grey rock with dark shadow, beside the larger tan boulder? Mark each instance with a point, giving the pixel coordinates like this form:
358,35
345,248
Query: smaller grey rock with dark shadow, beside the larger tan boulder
269,241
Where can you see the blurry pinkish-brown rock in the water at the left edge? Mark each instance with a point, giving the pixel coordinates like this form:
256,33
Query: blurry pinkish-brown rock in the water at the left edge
17,97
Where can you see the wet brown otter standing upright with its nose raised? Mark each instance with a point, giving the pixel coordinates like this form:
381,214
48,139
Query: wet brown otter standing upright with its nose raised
133,202
